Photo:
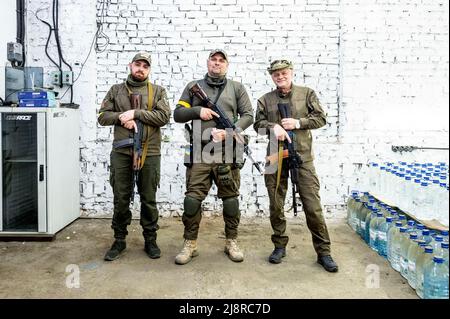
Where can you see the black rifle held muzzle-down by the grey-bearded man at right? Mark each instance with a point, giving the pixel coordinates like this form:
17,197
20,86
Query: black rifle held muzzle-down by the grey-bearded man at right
294,160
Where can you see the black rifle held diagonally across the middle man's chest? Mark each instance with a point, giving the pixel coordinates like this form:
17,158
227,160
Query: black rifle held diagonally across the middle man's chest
223,121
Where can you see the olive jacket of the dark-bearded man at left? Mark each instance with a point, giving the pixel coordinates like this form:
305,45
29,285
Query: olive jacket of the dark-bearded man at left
117,101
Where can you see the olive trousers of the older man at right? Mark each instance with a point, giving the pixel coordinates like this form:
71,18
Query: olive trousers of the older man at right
309,196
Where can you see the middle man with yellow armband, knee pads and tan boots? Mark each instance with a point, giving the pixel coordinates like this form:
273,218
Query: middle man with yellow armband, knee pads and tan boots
235,102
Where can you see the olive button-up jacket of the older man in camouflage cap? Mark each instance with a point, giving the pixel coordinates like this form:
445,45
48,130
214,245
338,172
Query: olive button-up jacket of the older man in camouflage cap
305,107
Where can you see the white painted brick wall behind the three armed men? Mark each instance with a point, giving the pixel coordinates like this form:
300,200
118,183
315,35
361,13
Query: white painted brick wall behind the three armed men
379,68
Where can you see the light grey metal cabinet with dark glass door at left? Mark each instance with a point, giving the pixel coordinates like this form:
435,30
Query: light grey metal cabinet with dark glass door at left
39,171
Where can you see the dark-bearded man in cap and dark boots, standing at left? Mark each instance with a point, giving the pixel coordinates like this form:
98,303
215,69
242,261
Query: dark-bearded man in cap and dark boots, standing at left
154,112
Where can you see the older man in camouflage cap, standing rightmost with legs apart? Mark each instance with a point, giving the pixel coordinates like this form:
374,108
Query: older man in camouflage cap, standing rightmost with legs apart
306,114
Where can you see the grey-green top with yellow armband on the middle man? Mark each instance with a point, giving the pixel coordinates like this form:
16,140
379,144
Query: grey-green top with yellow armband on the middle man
234,101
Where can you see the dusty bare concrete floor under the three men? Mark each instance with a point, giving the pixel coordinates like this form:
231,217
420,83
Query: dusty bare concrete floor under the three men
38,269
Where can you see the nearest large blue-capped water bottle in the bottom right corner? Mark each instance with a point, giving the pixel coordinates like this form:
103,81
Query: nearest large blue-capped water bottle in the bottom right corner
436,279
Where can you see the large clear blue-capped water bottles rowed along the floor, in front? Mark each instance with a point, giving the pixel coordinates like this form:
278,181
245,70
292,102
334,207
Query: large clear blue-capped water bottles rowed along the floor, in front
418,253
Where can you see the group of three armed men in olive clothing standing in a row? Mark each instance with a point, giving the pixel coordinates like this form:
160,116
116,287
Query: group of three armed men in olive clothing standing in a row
212,165
